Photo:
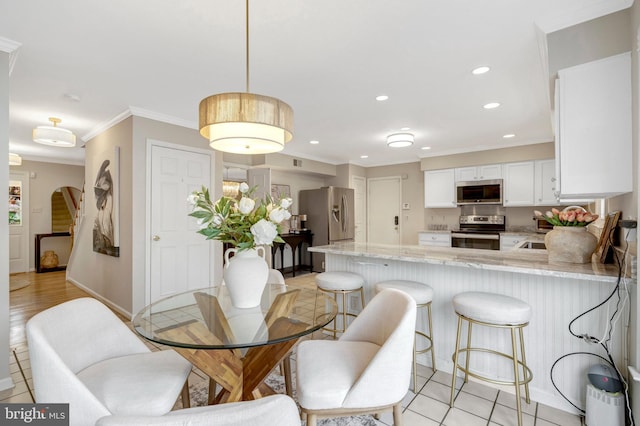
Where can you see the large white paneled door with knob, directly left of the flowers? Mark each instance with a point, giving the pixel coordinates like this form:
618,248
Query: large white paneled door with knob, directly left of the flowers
180,257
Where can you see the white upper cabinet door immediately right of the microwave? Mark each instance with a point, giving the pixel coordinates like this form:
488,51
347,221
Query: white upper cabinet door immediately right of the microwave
518,188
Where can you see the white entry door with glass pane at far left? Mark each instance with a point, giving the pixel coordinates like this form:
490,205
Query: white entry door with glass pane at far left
18,222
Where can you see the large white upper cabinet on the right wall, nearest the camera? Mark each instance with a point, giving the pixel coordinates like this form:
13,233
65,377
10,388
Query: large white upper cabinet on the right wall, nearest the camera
593,129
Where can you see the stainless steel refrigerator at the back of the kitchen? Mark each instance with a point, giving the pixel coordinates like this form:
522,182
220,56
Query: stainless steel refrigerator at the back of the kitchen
330,217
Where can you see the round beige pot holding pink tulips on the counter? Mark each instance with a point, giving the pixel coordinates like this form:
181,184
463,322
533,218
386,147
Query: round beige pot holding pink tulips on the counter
570,244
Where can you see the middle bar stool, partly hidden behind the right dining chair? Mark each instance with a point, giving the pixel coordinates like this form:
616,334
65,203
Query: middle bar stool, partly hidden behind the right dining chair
422,294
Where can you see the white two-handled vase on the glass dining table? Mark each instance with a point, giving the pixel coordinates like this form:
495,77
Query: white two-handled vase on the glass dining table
245,275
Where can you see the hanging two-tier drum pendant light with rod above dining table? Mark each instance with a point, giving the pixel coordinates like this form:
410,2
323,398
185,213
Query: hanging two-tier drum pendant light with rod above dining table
243,122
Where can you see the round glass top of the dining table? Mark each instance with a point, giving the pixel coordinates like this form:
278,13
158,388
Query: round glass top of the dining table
206,319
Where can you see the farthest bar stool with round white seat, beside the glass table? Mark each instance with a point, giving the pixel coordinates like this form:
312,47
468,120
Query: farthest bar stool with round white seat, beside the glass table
344,283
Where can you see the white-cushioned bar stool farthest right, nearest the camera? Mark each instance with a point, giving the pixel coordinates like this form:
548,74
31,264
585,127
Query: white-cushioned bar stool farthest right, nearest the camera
500,311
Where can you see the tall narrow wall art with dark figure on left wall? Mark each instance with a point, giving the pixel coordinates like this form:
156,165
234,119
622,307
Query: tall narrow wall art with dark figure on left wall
106,190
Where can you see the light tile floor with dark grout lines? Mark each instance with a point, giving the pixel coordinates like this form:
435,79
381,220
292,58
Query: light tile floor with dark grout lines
475,404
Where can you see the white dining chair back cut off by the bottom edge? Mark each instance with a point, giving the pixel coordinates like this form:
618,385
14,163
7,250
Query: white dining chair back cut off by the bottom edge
277,410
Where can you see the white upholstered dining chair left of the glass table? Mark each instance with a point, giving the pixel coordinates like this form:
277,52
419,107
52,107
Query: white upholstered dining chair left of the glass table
81,353
